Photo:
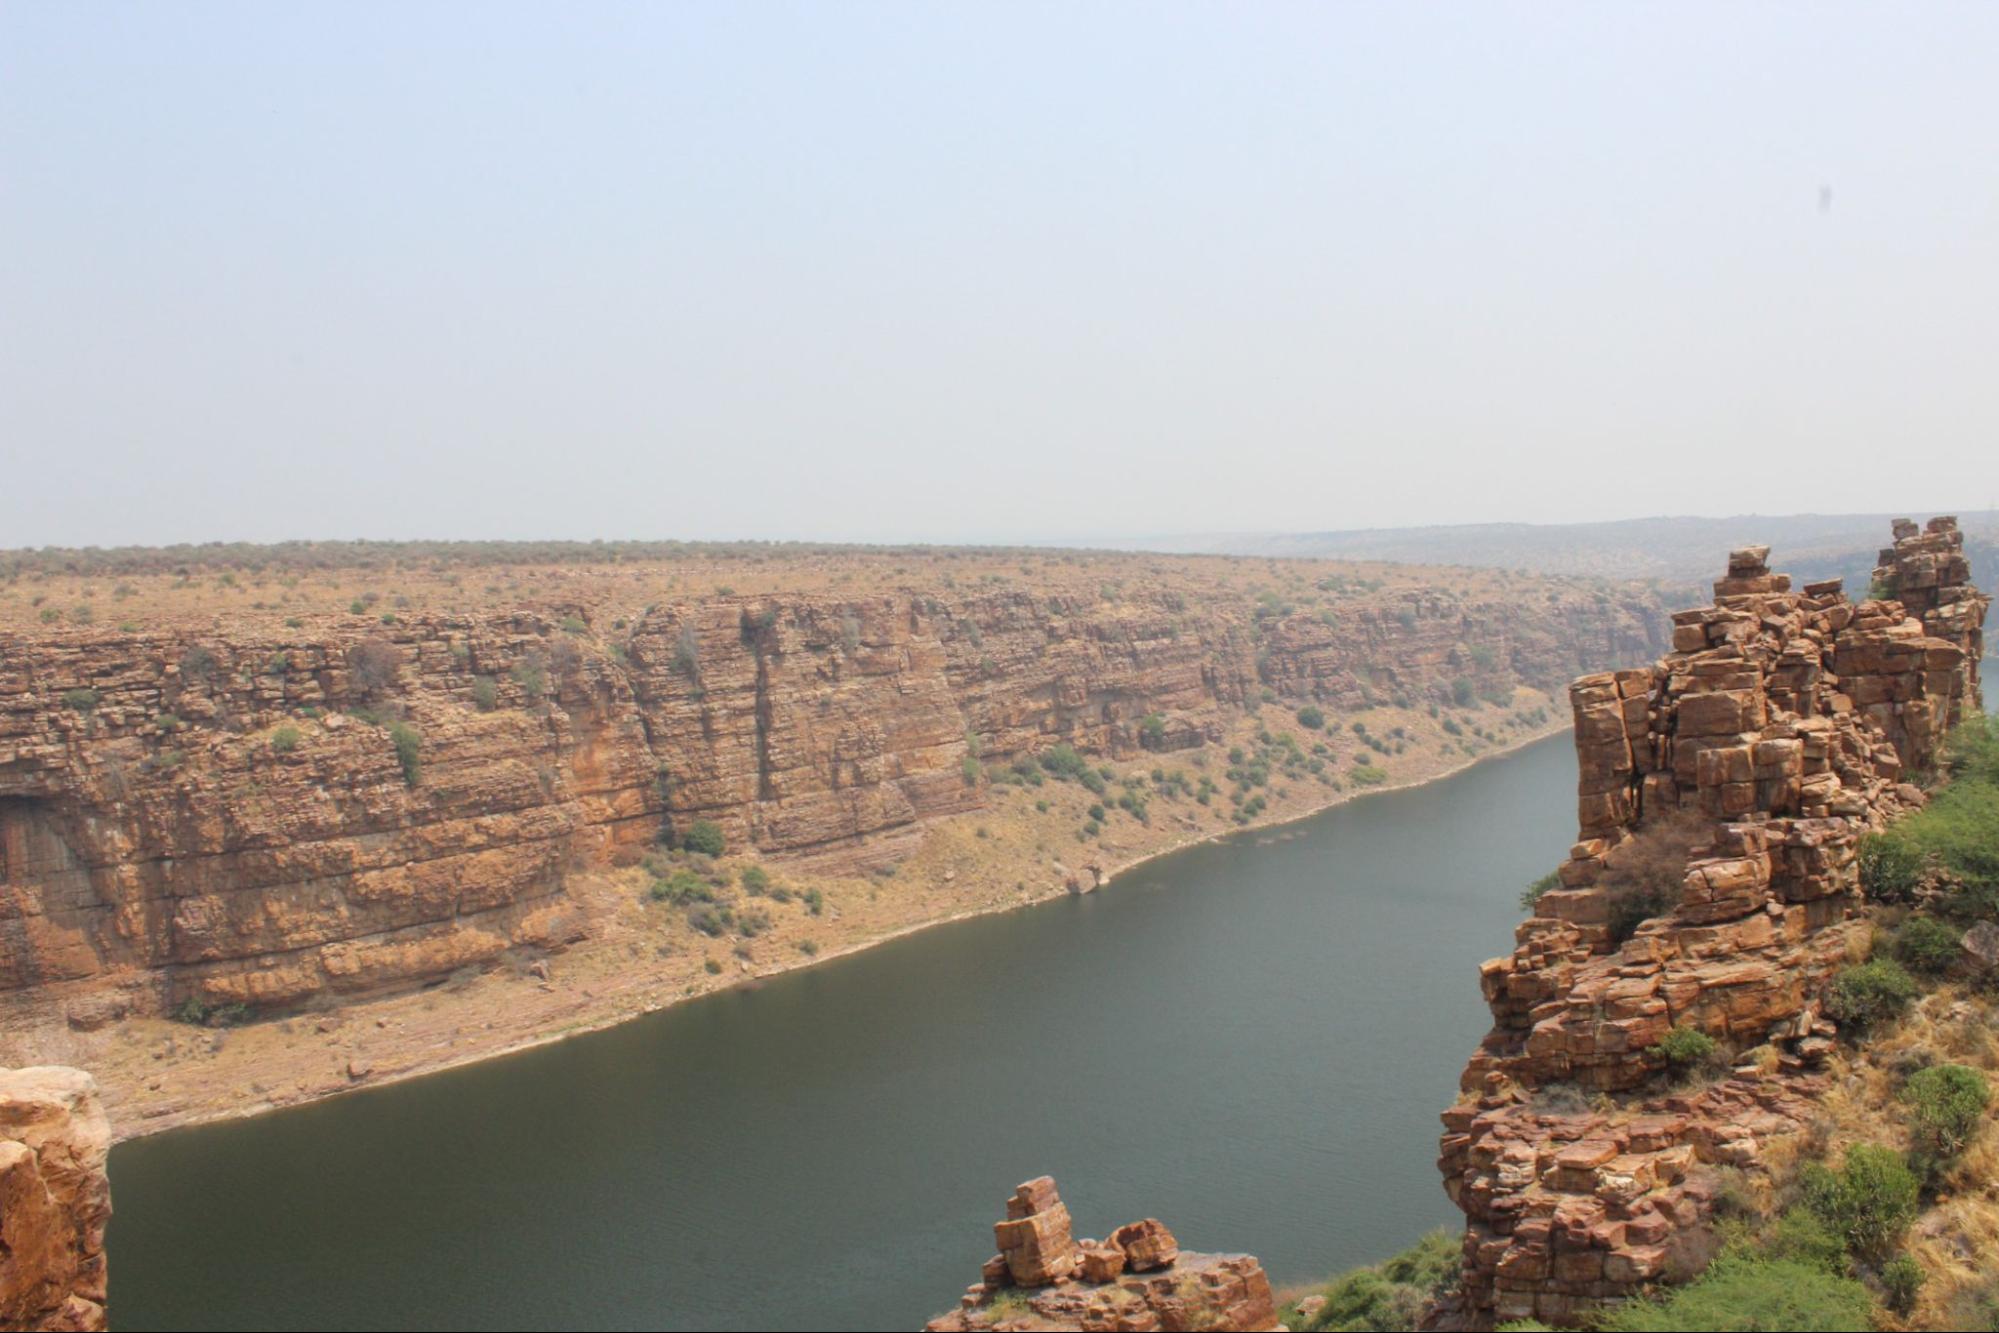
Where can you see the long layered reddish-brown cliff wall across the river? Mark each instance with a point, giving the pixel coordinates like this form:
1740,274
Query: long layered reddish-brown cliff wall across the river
229,818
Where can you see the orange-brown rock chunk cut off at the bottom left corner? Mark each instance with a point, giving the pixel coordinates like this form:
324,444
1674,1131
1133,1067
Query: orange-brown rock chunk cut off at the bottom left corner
55,1200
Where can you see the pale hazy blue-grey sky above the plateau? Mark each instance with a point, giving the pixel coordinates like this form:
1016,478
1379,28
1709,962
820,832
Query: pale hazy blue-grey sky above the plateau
949,273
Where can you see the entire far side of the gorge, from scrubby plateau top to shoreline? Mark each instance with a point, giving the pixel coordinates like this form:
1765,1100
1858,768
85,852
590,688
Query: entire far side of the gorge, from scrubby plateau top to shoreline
307,818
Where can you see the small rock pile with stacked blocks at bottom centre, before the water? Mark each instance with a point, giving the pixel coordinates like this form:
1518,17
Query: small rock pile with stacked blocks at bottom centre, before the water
1136,1280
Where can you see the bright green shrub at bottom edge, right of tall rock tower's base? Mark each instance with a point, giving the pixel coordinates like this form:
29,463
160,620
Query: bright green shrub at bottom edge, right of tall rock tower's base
1750,1292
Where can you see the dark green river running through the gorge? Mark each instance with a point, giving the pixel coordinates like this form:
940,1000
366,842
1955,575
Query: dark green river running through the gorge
1248,1040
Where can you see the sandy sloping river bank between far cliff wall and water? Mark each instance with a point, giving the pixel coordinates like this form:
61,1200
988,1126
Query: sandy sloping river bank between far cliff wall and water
161,1076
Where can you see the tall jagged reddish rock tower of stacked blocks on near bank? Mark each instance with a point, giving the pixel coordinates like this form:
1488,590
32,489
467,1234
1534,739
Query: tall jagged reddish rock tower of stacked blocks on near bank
1724,794
